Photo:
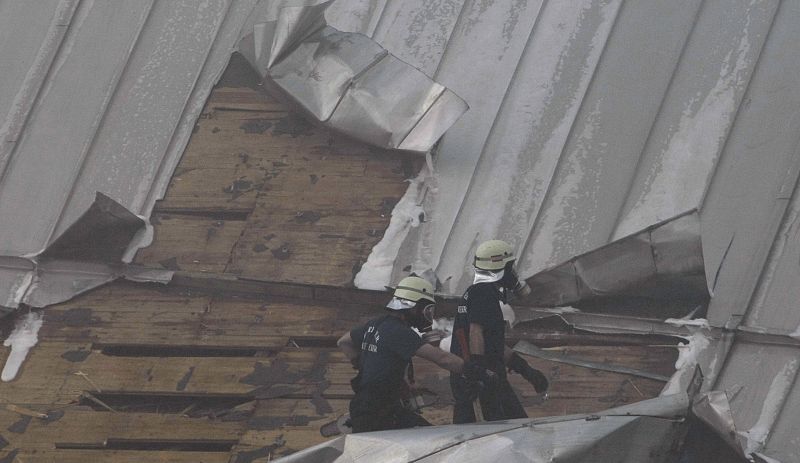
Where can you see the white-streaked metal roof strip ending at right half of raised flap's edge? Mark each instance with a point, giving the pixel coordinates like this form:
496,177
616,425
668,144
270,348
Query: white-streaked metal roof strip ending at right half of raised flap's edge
682,157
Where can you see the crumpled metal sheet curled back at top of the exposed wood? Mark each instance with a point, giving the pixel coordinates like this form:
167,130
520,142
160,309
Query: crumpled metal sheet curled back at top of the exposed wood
346,80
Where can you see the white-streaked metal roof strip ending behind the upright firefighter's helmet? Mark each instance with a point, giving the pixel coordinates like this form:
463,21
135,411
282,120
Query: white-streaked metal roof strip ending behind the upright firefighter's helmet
532,126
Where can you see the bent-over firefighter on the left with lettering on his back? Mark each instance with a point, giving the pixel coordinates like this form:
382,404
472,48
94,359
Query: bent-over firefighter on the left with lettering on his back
381,351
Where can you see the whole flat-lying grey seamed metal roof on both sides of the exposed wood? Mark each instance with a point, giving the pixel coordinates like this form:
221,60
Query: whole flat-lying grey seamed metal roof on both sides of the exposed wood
589,120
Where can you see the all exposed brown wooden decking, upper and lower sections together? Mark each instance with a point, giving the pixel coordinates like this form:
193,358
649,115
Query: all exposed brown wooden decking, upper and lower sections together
266,220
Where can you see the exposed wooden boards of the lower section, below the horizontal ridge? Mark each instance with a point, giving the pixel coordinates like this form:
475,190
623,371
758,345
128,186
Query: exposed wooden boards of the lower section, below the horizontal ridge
193,376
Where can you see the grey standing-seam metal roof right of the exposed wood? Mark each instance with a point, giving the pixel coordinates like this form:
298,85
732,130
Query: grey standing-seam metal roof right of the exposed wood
593,119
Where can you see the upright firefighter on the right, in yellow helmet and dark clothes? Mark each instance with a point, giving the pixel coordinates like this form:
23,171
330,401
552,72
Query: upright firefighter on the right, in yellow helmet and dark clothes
479,335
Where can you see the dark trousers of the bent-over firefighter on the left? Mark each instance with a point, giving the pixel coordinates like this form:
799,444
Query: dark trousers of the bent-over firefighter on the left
369,412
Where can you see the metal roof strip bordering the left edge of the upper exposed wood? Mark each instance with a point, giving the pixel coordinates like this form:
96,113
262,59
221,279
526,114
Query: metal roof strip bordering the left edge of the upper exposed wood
164,67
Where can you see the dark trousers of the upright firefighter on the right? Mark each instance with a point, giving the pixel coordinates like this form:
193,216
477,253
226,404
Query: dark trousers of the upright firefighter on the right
497,403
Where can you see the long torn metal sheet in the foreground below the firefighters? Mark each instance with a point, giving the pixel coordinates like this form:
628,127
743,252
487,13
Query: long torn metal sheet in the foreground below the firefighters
645,432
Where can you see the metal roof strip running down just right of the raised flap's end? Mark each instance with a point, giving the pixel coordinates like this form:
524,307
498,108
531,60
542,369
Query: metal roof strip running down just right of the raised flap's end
768,125
